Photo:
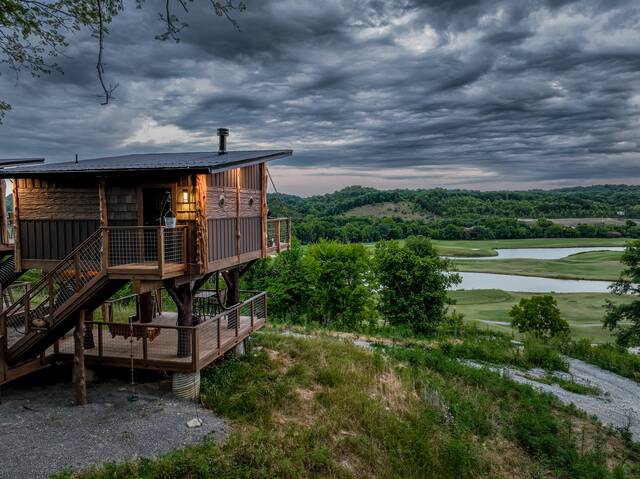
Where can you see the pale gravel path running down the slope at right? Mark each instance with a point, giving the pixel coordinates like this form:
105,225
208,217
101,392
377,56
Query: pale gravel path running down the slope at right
617,406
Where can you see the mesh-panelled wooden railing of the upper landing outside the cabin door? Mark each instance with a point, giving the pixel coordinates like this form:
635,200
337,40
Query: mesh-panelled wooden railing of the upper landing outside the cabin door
146,248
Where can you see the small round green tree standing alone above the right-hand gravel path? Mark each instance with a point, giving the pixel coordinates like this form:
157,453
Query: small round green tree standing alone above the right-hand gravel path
540,316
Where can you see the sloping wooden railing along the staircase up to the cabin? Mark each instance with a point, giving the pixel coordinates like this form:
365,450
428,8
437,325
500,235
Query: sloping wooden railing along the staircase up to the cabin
36,308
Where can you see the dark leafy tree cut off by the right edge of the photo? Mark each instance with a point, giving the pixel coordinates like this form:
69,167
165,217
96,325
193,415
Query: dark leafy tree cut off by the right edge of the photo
628,283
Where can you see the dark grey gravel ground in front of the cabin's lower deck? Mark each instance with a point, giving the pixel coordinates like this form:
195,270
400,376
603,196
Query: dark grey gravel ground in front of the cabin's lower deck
42,432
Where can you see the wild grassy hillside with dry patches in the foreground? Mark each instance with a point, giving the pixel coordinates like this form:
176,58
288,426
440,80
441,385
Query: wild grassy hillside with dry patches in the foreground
323,407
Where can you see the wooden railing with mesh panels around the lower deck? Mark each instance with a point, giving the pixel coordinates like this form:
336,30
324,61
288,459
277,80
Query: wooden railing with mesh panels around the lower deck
168,346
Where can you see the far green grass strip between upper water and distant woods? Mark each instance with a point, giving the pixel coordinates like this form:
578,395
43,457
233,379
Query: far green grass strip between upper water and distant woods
470,248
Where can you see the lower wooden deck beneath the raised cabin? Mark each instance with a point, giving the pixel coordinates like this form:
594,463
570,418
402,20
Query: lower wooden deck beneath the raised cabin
161,352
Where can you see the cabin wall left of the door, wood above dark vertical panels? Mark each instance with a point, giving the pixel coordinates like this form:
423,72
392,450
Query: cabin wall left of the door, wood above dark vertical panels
55,216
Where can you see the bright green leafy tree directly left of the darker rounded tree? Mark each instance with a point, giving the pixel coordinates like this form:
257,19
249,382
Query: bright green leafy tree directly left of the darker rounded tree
340,284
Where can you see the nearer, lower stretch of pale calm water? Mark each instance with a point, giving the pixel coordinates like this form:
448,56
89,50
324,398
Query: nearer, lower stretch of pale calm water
531,284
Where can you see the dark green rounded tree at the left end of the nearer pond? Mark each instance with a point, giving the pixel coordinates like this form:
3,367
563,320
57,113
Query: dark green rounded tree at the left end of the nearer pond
413,284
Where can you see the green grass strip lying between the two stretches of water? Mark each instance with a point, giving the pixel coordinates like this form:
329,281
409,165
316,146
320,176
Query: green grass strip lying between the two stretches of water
596,265
